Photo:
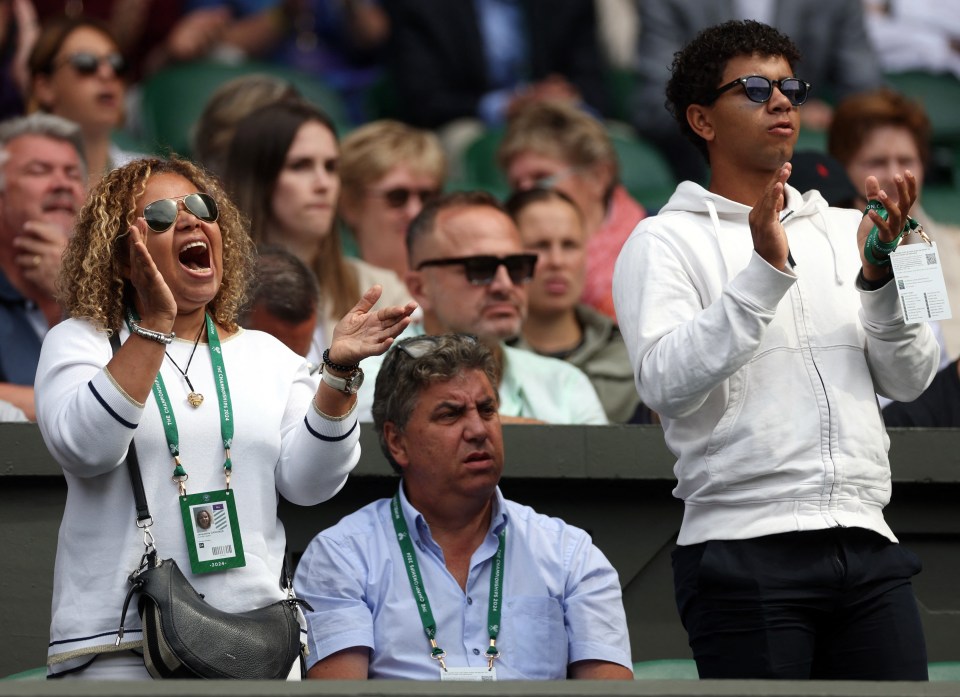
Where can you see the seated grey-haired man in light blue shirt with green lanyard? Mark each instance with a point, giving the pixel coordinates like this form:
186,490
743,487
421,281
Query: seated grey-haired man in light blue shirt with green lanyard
448,579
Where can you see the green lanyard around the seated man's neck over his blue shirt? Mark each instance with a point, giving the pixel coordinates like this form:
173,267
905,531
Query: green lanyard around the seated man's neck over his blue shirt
420,594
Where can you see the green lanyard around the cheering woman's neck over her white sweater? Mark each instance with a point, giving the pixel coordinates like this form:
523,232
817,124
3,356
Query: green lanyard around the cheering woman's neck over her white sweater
180,475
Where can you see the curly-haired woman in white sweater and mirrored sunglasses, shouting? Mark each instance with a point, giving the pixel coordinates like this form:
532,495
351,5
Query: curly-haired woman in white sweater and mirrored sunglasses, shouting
160,258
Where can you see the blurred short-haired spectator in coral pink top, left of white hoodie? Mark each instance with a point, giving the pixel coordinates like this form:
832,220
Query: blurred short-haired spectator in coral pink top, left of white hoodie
558,146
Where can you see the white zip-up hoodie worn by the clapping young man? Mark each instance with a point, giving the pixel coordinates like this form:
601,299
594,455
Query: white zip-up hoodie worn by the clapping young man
766,380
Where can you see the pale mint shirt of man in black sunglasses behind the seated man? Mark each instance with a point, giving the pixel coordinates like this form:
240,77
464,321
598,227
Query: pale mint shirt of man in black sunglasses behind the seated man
532,386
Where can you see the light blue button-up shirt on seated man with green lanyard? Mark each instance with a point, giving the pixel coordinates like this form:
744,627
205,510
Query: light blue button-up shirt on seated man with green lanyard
562,599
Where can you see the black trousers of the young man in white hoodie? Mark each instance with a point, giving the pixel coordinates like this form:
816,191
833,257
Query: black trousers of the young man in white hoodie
825,605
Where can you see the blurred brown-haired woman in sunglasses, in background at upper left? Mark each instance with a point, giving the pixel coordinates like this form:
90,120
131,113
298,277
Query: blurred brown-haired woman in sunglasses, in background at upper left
78,73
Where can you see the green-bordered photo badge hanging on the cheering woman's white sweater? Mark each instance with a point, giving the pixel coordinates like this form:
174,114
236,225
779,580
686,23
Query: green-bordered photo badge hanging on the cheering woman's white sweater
212,531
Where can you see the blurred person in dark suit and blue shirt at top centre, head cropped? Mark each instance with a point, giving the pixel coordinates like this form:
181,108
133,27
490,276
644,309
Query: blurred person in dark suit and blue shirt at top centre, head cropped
461,64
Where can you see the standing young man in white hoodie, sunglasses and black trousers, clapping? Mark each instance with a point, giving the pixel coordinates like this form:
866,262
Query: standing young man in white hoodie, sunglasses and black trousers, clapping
760,333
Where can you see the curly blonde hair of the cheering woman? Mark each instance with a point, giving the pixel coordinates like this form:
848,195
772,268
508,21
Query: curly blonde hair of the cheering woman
93,283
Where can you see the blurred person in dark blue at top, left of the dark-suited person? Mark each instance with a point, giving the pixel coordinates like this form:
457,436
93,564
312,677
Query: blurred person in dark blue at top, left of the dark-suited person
342,43
